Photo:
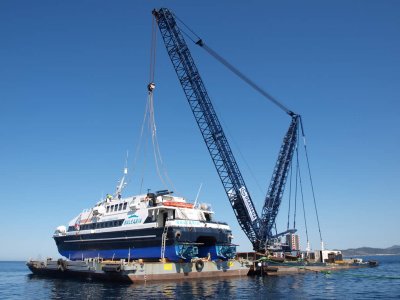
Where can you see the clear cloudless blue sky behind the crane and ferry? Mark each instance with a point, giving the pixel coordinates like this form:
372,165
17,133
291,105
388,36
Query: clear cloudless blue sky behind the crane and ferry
73,77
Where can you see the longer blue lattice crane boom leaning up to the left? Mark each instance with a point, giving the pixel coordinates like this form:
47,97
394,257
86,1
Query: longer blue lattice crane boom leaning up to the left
209,124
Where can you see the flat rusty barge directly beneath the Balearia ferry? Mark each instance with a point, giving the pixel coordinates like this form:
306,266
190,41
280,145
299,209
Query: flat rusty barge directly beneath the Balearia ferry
139,270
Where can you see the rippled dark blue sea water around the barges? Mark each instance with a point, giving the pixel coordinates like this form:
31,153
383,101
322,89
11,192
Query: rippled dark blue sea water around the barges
382,282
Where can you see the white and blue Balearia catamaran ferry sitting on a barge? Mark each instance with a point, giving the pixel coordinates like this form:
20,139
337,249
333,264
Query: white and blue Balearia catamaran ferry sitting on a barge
150,226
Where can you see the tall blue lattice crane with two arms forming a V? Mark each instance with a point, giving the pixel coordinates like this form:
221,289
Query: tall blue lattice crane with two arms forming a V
258,229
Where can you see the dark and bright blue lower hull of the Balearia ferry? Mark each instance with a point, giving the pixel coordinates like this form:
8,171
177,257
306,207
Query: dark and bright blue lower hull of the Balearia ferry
146,244
